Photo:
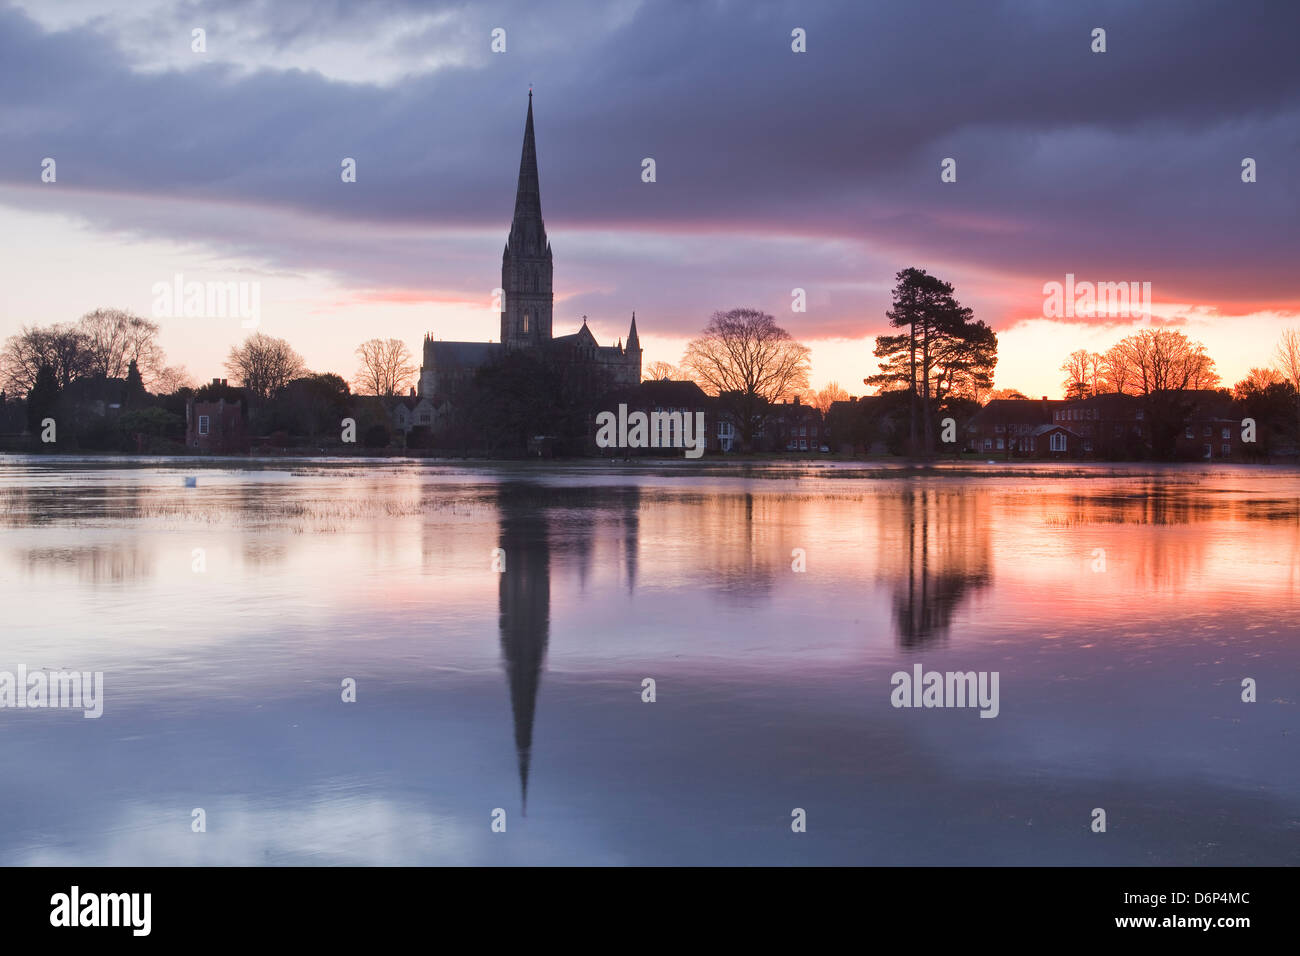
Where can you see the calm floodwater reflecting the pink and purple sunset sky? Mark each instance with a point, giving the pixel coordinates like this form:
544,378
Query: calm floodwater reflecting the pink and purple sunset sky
1121,609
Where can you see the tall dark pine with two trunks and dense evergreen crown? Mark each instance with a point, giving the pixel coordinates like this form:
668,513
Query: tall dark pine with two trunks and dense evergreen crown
944,352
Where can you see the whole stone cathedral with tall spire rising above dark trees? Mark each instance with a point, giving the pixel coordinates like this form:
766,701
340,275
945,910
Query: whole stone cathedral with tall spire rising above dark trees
527,306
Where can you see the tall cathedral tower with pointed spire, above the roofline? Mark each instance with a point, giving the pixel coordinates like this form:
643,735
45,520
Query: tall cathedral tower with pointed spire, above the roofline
526,267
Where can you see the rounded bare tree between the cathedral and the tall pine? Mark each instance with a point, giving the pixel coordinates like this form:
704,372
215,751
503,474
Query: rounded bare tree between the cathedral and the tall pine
749,364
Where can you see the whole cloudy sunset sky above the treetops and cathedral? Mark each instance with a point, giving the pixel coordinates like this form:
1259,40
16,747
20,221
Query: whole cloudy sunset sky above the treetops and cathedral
774,170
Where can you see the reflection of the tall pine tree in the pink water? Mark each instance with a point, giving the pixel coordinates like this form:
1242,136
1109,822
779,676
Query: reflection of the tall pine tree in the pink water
938,556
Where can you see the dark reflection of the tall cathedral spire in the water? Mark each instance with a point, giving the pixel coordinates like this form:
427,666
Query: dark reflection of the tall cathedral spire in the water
525,599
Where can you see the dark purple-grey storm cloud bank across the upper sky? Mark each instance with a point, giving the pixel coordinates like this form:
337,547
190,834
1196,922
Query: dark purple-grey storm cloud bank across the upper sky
1123,166
